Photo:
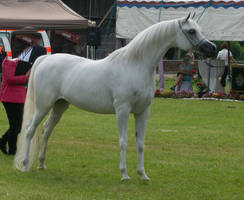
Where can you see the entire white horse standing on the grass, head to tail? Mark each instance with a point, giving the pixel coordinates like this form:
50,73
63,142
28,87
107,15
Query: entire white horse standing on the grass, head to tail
122,83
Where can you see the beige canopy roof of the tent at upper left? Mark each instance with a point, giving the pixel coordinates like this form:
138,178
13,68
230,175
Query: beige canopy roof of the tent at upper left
39,14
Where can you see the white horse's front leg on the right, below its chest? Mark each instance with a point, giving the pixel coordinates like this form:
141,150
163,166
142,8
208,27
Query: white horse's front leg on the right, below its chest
140,126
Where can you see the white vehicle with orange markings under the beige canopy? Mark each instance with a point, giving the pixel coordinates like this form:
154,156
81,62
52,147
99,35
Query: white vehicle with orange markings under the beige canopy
12,40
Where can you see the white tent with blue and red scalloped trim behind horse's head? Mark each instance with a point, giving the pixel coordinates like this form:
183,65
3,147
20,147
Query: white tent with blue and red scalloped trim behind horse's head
219,19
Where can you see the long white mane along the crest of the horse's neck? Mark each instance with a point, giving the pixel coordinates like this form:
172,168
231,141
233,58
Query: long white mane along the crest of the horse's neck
138,47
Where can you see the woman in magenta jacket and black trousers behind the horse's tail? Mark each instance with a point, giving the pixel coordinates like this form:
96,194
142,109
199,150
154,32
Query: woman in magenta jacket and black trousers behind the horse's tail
12,96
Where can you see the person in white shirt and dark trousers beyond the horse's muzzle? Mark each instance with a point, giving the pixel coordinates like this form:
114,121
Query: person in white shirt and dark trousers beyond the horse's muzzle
223,55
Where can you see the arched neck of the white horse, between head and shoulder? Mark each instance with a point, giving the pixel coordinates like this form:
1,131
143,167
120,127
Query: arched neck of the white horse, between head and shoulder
149,47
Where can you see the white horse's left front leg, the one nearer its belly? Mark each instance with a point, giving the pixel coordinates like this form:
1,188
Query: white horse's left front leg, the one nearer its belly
122,115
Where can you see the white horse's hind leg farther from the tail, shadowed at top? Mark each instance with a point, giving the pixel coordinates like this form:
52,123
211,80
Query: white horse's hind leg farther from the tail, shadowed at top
56,113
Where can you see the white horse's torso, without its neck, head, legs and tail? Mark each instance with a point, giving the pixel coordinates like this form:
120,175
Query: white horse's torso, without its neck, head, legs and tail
106,83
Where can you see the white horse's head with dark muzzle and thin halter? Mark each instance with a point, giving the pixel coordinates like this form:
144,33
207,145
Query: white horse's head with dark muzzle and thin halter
190,37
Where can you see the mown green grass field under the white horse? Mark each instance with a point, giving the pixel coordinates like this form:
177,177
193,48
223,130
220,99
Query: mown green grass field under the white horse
194,150
